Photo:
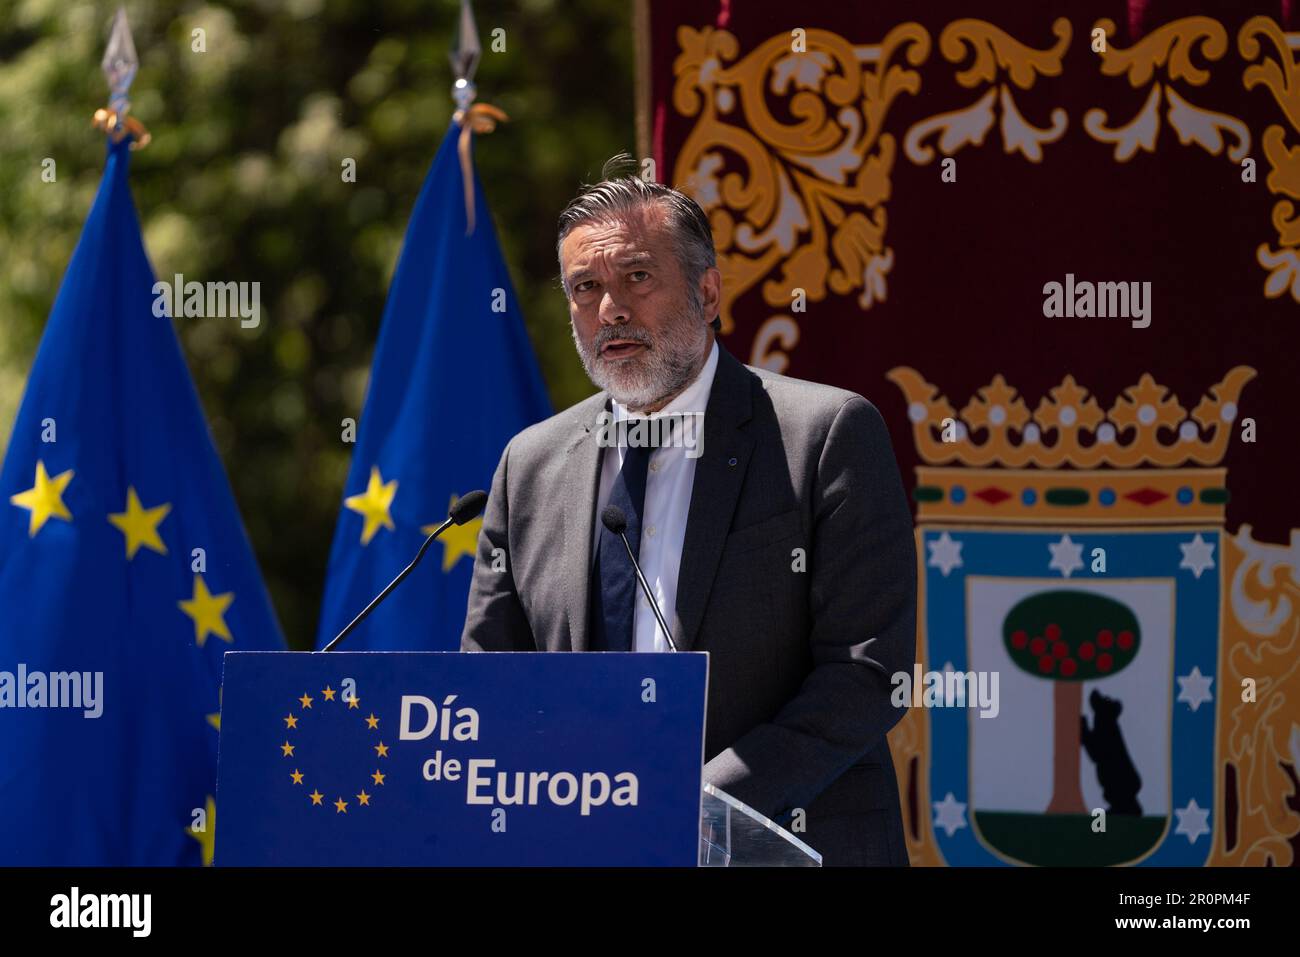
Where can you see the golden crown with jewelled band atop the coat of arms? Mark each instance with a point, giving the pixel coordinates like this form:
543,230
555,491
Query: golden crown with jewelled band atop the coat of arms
1069,460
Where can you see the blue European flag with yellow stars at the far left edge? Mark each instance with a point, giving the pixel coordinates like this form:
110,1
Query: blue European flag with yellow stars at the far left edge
125,575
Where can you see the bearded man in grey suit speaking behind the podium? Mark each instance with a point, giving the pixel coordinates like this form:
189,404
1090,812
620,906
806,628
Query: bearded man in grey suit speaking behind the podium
781,543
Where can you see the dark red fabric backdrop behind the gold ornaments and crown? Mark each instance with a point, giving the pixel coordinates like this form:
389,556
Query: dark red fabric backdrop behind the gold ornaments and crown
965,295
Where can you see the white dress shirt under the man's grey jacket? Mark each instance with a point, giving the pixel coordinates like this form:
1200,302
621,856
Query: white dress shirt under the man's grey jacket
664,519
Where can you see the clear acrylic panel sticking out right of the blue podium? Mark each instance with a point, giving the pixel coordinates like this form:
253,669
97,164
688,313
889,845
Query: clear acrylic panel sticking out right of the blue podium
735,835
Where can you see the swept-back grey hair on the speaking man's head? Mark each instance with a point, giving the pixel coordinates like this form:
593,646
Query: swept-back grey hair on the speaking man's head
619,193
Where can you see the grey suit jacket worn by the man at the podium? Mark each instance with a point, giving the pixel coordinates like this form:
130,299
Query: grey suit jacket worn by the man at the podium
800,656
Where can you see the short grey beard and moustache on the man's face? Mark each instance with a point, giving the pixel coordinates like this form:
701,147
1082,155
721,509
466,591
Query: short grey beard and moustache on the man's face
665,370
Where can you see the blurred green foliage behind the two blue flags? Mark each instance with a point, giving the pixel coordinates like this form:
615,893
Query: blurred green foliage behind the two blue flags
242,184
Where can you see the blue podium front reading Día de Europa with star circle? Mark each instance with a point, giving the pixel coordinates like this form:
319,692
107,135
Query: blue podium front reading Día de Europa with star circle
461,760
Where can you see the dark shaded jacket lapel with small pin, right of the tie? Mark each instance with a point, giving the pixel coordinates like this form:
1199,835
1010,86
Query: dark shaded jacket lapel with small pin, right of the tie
720,475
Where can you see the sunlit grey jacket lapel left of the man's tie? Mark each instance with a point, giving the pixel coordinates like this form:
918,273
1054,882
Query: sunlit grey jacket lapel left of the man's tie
582,473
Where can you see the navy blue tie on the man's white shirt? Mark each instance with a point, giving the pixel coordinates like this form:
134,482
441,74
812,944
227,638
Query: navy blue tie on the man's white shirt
614,581
